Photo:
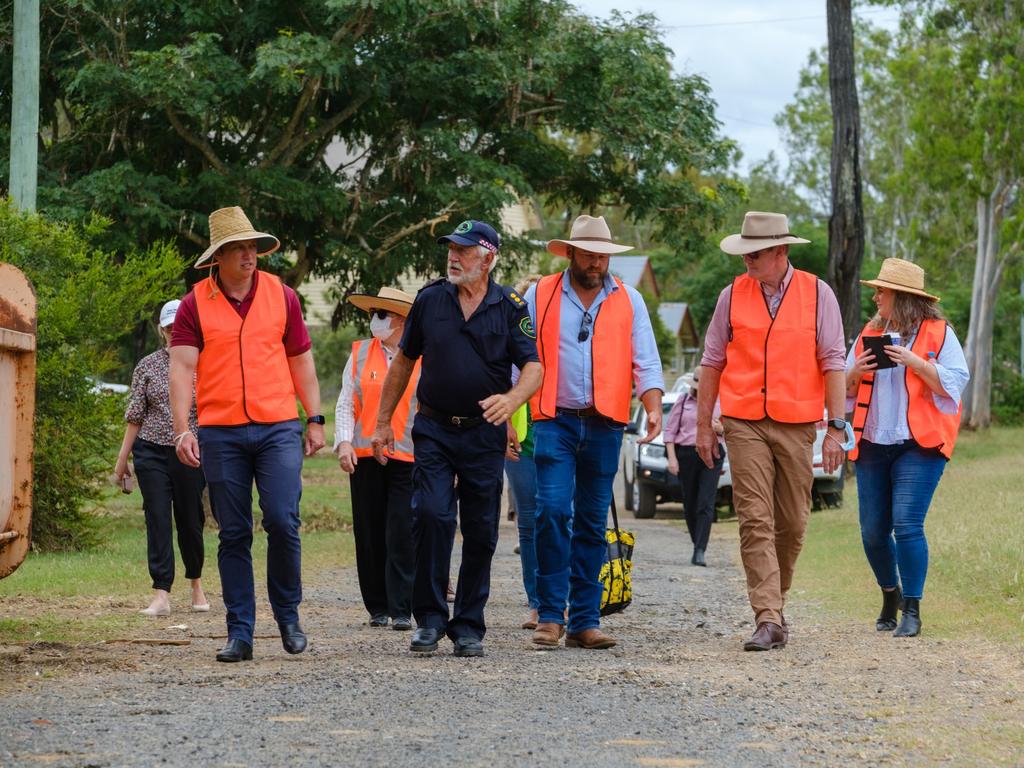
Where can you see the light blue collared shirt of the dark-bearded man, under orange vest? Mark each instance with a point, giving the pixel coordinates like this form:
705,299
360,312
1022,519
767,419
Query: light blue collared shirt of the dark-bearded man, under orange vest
576,359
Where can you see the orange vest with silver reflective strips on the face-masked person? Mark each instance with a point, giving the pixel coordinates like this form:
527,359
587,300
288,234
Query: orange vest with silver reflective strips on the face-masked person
369,370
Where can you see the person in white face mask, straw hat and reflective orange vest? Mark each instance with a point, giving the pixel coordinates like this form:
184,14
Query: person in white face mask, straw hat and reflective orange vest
386,558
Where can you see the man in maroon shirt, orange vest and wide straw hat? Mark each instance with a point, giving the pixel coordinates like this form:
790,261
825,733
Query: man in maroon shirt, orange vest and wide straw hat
240,332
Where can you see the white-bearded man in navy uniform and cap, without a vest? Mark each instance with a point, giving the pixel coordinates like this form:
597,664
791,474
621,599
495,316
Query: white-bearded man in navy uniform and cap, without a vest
470,331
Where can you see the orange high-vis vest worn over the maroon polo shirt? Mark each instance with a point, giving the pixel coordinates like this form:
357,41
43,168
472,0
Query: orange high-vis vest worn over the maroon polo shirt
243,374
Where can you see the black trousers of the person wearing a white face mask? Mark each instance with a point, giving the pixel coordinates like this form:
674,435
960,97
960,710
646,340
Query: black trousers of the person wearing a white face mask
382,525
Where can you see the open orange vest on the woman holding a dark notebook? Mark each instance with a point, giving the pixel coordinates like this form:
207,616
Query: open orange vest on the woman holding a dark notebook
929,426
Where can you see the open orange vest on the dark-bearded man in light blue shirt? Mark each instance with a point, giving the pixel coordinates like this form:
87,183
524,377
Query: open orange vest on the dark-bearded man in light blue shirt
612,342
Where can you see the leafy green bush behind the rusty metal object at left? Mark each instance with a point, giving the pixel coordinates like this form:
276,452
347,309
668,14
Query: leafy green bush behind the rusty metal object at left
88,300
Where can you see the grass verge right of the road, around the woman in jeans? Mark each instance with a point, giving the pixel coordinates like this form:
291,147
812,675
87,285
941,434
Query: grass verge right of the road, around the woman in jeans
975,583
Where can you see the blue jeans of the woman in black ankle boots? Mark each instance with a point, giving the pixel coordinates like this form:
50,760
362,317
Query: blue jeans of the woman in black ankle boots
895,485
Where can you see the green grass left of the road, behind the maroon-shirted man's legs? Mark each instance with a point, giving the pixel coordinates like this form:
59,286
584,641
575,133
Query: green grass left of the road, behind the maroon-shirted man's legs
92,596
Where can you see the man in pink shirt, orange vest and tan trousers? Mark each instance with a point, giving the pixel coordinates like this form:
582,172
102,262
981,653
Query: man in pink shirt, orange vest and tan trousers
775,355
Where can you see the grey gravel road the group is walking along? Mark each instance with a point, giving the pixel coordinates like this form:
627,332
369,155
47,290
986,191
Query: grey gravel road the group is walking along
677,691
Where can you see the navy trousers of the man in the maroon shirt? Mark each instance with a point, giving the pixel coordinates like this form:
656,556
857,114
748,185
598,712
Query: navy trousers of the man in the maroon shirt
232,459
